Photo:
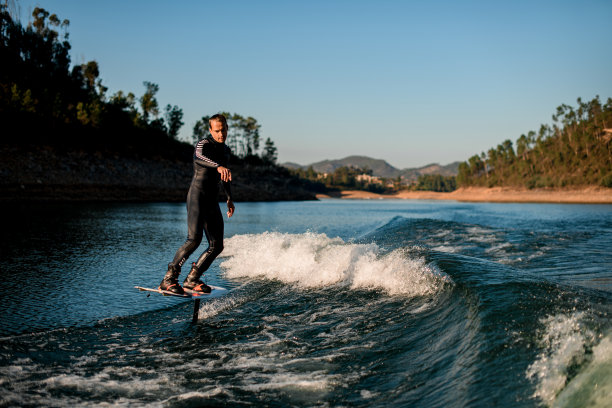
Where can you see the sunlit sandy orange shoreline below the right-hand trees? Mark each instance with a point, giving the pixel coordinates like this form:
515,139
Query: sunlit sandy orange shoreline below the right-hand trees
586,195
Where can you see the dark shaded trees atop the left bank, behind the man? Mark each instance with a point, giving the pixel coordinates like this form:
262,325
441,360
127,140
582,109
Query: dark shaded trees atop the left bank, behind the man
45,99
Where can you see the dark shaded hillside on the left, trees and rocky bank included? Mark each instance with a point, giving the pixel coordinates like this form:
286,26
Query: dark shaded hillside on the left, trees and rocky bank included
64,138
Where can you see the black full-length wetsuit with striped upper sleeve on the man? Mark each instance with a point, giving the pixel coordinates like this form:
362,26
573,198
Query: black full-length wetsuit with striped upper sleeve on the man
203,213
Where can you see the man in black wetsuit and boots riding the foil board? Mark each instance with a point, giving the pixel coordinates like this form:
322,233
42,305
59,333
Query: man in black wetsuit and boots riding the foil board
210,161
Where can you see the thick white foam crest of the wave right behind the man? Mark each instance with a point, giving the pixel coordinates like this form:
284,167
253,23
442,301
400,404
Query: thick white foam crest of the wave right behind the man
314,260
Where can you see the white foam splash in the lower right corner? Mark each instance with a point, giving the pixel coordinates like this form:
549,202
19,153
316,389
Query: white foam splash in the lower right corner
564,342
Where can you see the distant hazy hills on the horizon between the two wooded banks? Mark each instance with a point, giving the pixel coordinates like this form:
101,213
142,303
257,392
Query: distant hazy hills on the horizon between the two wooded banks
380,168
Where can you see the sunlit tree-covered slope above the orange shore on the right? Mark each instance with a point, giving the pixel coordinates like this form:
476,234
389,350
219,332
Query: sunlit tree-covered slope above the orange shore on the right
574,151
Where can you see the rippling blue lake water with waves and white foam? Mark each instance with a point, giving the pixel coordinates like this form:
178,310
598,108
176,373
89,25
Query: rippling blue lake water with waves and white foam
331,303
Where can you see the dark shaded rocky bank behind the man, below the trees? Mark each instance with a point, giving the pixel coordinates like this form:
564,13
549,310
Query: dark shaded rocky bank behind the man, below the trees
53,174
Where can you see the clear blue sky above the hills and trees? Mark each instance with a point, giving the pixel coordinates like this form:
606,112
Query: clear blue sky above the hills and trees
411,82
